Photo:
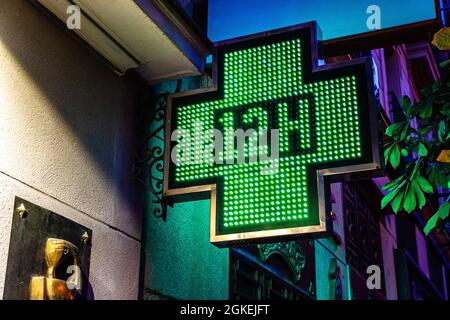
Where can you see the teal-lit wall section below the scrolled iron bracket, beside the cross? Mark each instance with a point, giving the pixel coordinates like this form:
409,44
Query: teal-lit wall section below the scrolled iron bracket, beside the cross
182,263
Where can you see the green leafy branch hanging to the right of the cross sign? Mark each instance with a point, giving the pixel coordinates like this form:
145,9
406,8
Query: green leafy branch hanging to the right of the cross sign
420,154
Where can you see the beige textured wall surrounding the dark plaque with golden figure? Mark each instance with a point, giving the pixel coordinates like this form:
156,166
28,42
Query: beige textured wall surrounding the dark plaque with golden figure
66,143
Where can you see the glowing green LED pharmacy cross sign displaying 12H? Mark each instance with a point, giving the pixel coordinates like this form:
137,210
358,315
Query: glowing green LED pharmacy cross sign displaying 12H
325,128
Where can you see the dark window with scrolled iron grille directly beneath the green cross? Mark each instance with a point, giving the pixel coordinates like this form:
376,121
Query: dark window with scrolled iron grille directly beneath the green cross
280,271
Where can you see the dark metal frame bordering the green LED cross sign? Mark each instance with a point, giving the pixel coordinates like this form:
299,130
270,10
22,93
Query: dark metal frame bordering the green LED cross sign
212,188
